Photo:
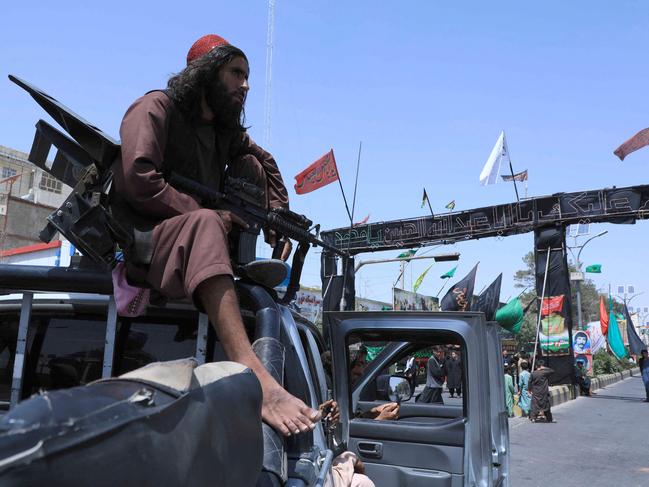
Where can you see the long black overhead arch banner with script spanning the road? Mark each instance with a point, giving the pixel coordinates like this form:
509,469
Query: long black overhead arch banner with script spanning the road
613,205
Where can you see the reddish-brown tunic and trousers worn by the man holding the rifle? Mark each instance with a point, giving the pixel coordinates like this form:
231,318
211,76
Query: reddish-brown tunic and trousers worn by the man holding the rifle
189,243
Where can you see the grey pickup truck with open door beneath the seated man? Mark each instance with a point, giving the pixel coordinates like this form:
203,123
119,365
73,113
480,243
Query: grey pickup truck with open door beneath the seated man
61,333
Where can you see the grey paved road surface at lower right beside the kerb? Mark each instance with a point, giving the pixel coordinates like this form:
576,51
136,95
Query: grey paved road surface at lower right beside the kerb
598,441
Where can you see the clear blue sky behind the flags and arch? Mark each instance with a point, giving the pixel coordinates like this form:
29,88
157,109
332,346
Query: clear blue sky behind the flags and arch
426,86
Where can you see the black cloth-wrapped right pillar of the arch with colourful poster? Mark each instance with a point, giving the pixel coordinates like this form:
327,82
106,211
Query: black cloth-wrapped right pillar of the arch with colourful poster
555,337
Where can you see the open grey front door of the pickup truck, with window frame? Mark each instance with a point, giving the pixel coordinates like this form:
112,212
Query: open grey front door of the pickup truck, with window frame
448,443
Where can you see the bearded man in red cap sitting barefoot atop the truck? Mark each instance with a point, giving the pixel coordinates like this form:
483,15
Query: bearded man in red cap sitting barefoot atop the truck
195,129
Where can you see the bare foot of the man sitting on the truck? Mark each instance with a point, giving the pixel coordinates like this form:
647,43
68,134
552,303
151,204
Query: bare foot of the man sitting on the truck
286,413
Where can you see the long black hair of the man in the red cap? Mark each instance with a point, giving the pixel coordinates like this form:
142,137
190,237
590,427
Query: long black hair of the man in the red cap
187,87
